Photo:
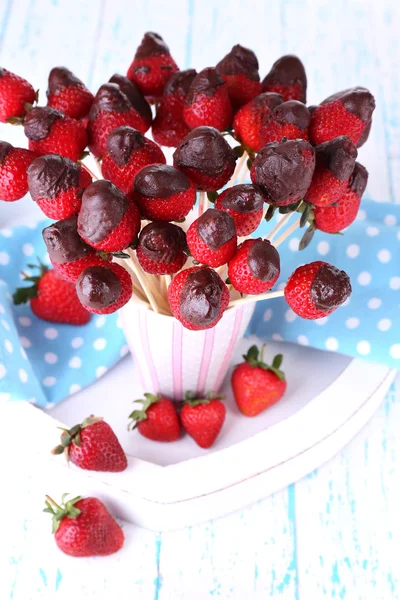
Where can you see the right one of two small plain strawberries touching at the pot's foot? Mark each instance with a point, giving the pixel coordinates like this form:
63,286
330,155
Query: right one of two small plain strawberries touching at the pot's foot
203,418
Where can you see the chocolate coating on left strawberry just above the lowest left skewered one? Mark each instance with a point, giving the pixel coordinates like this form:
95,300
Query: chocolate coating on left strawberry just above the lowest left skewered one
63,242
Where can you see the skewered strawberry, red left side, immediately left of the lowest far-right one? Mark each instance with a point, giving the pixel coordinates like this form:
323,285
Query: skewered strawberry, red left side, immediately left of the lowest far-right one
255,267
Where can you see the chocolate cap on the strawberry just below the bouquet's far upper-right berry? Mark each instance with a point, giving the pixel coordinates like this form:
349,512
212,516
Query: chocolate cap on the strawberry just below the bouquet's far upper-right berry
338,156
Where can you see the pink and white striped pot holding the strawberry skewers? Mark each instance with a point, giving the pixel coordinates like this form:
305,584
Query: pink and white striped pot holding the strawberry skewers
172,359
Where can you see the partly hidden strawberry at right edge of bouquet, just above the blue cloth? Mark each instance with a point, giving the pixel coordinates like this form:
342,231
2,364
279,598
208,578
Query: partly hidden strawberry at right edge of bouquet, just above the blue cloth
340,215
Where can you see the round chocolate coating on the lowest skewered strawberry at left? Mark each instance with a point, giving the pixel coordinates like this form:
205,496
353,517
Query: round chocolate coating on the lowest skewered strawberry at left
98,287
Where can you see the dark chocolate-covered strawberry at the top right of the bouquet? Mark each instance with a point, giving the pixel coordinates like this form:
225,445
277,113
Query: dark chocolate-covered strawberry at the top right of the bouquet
287,77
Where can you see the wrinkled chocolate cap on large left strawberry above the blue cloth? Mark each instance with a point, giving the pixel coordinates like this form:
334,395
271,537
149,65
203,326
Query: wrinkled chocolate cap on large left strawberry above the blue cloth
50,175
